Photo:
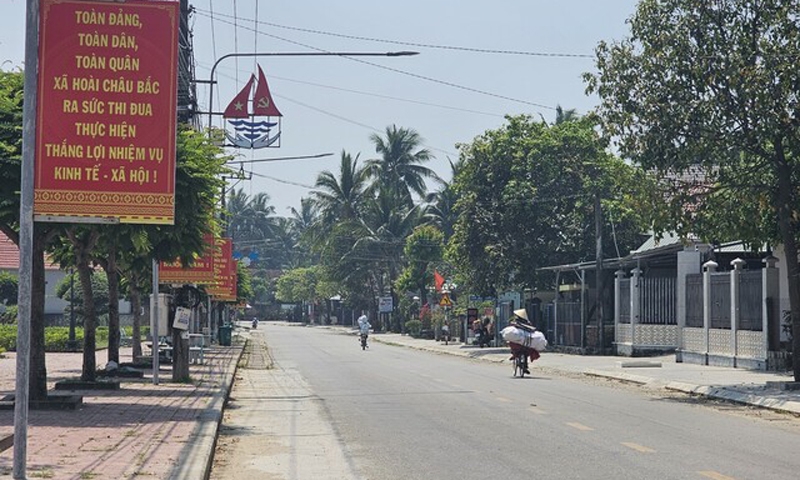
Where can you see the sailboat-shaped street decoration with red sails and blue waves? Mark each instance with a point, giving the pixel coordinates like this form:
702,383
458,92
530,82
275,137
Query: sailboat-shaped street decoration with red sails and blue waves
252,126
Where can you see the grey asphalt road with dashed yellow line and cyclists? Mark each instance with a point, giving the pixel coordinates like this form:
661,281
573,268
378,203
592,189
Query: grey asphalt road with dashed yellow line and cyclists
397,413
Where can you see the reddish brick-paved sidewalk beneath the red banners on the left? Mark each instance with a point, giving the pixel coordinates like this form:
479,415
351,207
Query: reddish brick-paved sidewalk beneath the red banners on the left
141,430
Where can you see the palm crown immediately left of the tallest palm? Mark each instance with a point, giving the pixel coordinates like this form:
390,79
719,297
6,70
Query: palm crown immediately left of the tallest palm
340,199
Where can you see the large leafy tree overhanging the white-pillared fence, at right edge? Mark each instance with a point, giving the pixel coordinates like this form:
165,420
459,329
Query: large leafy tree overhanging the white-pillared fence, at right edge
711,87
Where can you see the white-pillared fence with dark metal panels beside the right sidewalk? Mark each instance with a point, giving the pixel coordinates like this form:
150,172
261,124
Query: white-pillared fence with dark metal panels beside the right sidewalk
710,318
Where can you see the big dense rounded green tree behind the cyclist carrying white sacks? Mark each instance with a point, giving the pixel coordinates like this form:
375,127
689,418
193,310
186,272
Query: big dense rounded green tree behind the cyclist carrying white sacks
526,200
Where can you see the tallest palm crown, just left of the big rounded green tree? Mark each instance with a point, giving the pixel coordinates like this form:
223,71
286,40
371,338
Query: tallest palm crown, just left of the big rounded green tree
400,167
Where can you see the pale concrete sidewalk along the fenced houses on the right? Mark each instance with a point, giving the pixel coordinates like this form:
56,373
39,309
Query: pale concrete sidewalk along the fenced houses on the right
748,387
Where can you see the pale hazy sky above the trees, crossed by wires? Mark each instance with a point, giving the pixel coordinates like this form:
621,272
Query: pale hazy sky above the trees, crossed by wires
329,104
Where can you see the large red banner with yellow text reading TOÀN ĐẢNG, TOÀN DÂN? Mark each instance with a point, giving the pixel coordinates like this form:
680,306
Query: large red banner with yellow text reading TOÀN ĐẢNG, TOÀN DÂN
106,115
